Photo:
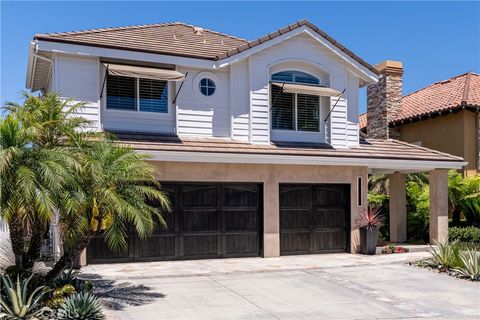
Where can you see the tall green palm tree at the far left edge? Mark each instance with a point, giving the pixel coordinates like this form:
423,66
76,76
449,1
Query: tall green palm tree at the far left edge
40,141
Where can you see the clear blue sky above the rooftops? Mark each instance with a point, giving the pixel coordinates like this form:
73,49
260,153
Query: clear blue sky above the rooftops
434,40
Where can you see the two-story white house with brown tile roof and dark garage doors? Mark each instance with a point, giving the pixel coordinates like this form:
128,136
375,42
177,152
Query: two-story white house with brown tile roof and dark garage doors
257,142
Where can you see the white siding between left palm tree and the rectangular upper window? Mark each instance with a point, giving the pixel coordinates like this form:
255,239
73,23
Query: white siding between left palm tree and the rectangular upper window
79,78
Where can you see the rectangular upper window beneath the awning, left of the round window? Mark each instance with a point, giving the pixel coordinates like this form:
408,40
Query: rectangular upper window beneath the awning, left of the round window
137,94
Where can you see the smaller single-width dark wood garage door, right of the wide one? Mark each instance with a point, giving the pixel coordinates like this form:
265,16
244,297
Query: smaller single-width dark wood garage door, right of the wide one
314,218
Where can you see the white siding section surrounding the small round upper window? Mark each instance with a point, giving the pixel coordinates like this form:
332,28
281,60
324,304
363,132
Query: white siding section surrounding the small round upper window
198,115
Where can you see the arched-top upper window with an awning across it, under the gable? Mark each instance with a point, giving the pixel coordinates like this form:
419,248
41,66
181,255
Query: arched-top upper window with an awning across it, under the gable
293,111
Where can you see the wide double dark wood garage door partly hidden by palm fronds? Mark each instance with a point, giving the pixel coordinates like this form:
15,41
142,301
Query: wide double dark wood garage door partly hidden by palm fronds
208,221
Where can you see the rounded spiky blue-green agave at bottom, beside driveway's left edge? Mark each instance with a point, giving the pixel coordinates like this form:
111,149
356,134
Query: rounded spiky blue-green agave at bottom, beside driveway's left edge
80,306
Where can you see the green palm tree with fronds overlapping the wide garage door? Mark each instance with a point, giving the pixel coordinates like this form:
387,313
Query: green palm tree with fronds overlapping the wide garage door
117,185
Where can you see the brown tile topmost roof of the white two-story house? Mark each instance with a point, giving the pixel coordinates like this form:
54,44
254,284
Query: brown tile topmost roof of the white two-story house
178,39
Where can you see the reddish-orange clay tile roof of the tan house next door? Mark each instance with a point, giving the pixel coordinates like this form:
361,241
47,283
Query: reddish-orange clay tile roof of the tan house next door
454,93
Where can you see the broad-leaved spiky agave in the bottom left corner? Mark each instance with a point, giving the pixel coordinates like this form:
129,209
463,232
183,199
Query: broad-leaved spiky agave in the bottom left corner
17,303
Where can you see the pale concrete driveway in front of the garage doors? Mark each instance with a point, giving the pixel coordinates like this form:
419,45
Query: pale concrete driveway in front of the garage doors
335,286
